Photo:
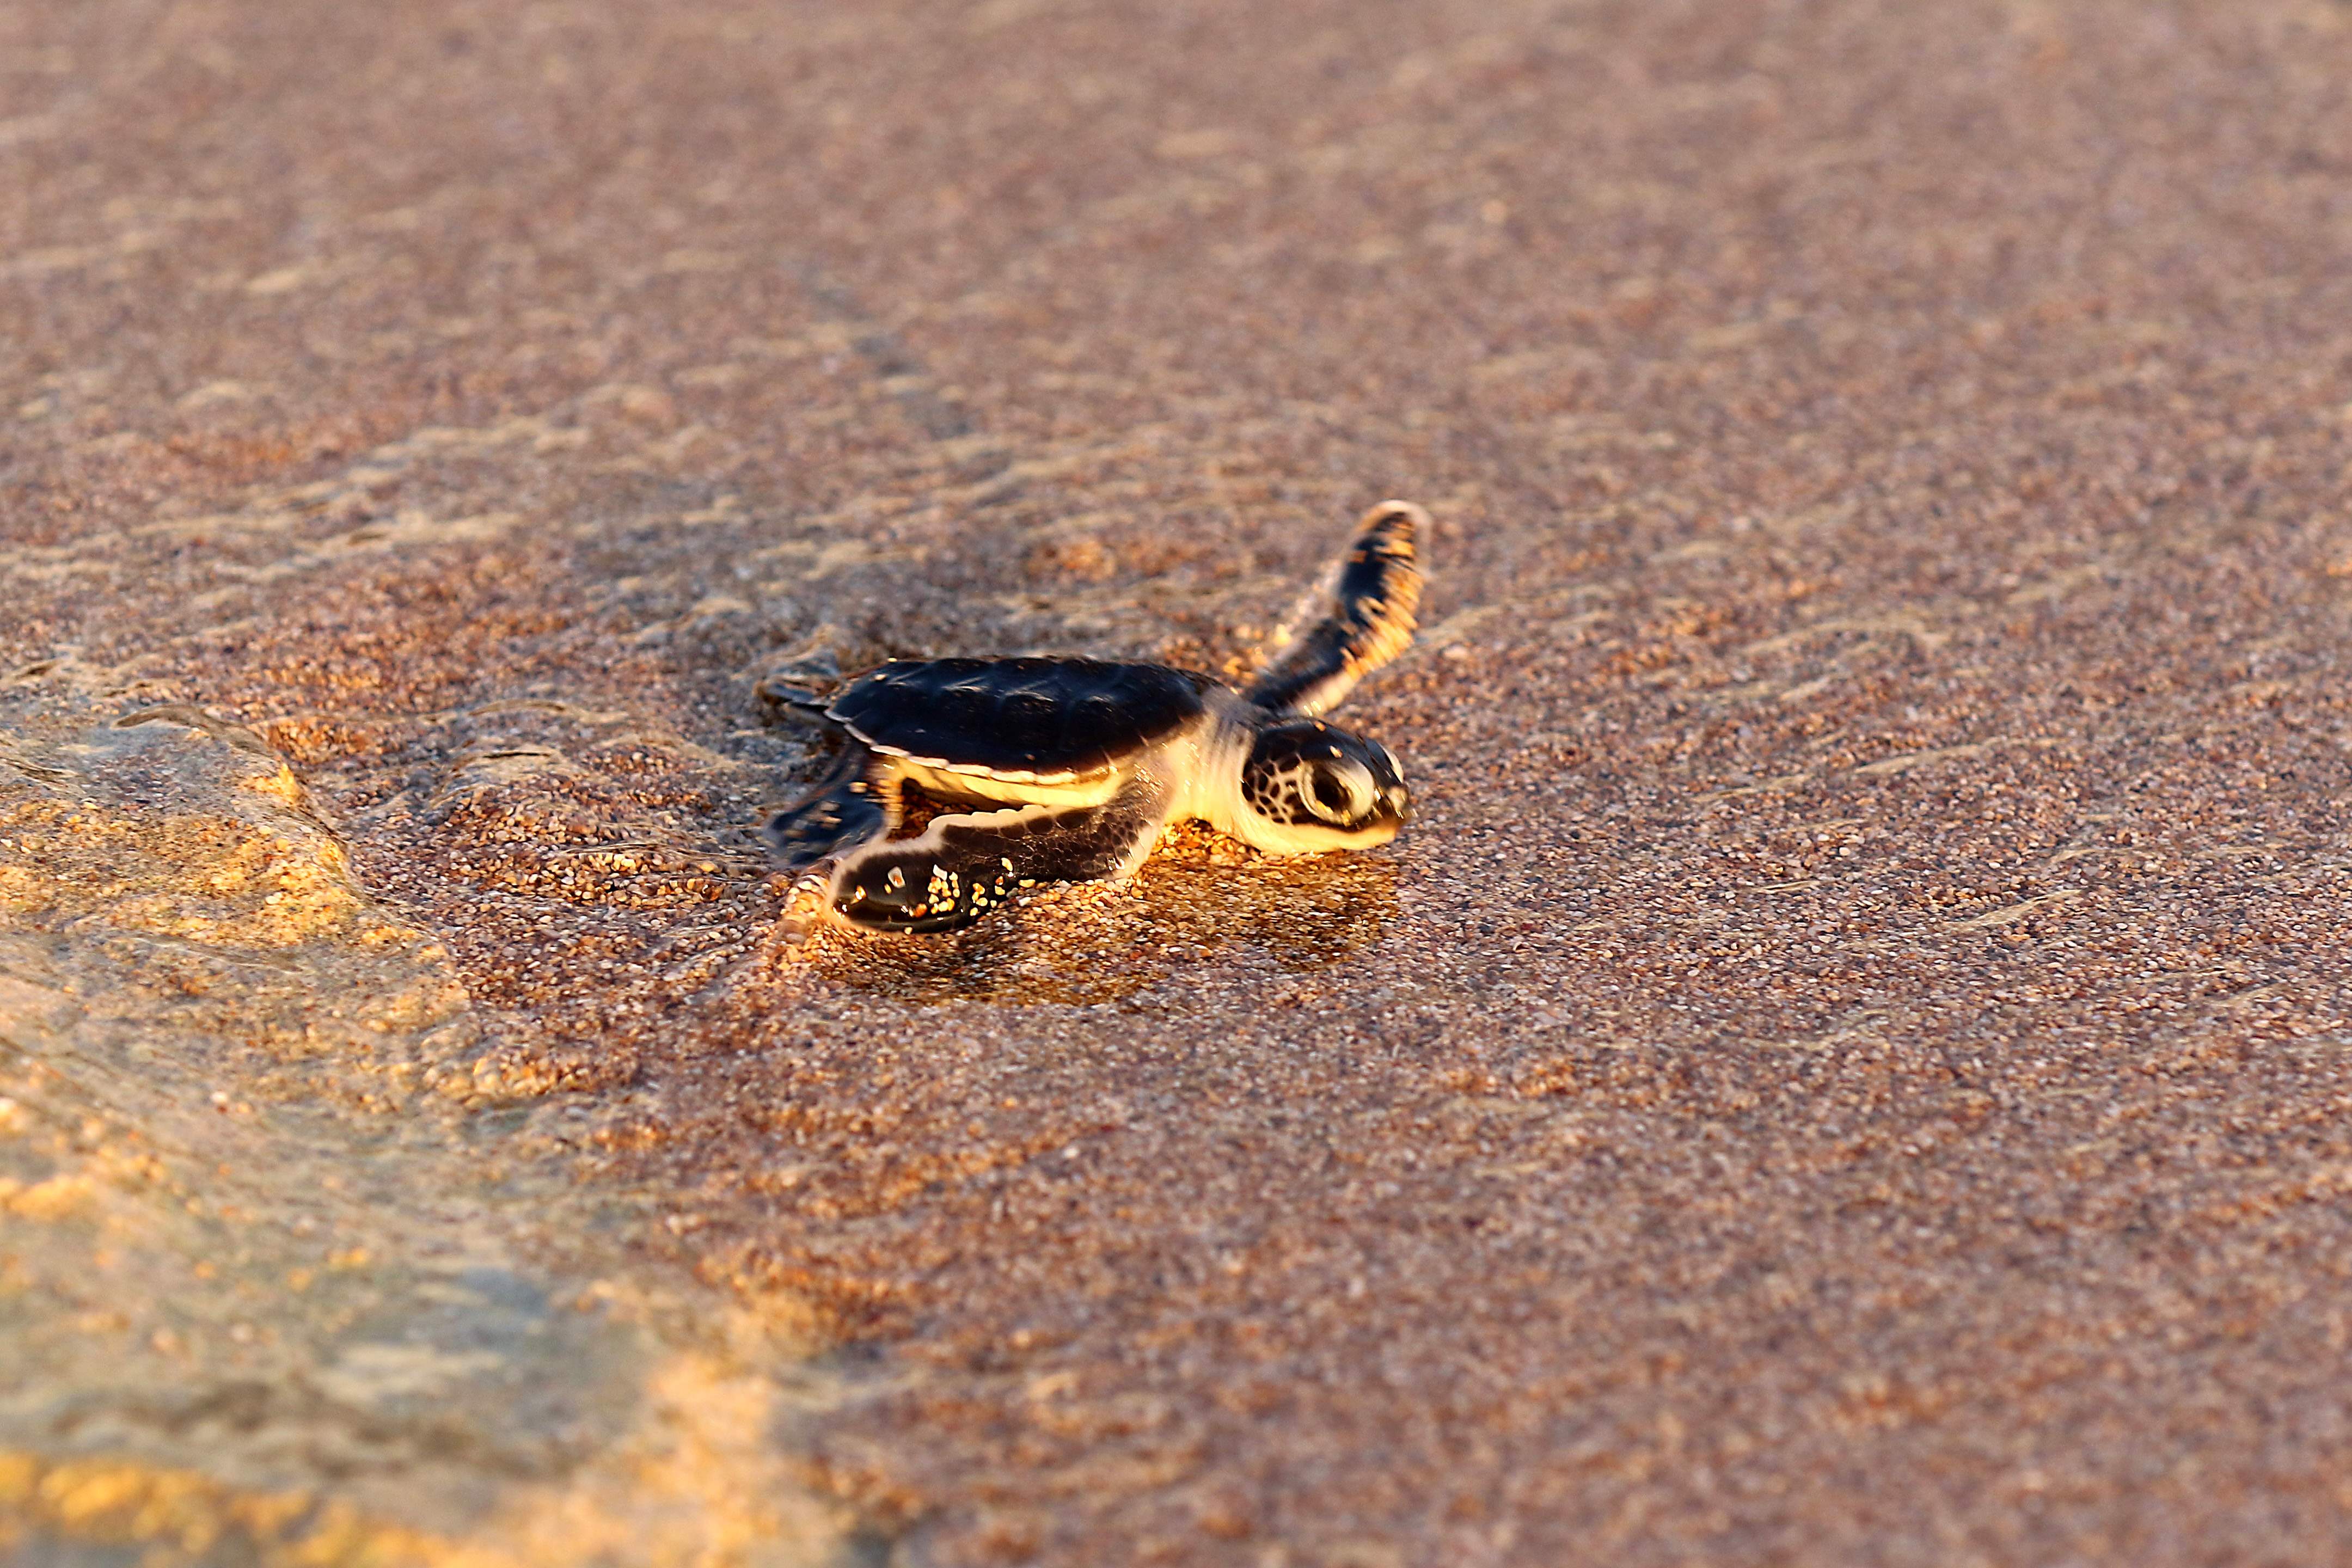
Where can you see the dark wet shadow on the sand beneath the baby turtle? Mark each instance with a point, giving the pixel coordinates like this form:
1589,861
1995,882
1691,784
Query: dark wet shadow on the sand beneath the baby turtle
1095,946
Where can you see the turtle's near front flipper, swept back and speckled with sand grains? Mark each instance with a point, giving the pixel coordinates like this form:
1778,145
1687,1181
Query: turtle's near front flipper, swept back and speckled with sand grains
965,866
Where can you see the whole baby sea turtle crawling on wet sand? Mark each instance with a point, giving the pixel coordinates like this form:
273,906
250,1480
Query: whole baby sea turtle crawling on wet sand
1067,770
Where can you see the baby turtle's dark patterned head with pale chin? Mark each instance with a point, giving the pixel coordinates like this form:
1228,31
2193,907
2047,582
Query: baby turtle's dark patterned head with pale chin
1309,789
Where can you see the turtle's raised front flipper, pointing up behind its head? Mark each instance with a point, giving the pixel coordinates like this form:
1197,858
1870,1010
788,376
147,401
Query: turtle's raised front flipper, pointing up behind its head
1365,617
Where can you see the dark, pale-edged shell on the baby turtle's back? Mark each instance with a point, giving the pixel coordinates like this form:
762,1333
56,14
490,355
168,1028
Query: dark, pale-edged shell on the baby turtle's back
1027,721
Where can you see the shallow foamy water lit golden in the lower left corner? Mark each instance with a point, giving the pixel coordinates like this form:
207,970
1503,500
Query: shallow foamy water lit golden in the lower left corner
274,1264
